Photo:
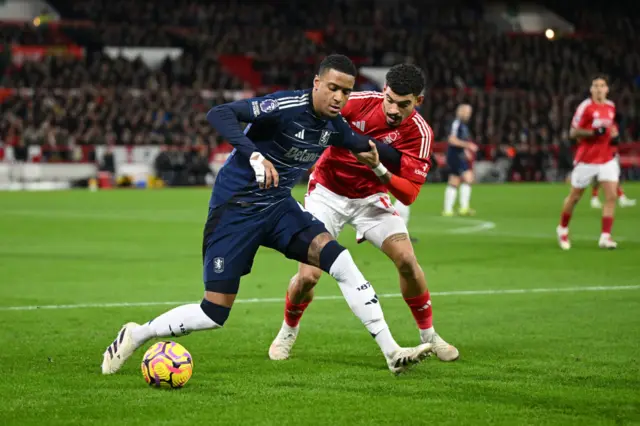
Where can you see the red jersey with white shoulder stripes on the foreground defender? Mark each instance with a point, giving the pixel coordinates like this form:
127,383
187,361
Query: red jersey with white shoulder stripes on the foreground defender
340,172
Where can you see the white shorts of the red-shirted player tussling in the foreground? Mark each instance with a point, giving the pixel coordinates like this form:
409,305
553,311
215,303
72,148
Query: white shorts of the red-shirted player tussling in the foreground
374,218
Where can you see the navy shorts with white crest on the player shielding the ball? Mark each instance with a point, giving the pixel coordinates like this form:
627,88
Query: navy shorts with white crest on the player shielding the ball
233,234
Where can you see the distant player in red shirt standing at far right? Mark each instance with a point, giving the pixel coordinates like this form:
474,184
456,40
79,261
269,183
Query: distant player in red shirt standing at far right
593,125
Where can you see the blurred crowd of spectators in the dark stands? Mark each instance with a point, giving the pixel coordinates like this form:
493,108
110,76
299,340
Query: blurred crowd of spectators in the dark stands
524,88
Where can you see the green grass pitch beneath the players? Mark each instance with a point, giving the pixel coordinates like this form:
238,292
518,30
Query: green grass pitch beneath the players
565,354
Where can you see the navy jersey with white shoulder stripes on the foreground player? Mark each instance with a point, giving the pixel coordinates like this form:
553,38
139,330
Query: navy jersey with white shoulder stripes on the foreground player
286,132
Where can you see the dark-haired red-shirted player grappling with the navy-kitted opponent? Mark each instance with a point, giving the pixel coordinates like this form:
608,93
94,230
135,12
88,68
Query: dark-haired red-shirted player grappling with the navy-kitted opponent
344,189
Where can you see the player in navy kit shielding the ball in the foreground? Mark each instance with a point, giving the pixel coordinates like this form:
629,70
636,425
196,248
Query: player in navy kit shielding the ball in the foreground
251,206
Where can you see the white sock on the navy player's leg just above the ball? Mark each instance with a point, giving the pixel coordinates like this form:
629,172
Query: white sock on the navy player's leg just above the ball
176,322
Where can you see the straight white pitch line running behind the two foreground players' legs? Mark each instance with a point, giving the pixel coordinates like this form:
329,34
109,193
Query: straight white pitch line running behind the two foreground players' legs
335,297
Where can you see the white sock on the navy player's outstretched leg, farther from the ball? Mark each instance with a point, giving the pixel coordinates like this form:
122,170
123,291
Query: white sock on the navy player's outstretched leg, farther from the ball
362,300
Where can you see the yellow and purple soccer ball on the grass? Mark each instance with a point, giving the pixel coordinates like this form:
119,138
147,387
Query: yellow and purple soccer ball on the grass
167,365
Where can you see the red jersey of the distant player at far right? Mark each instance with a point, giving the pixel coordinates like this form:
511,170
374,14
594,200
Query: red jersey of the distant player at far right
591,115
